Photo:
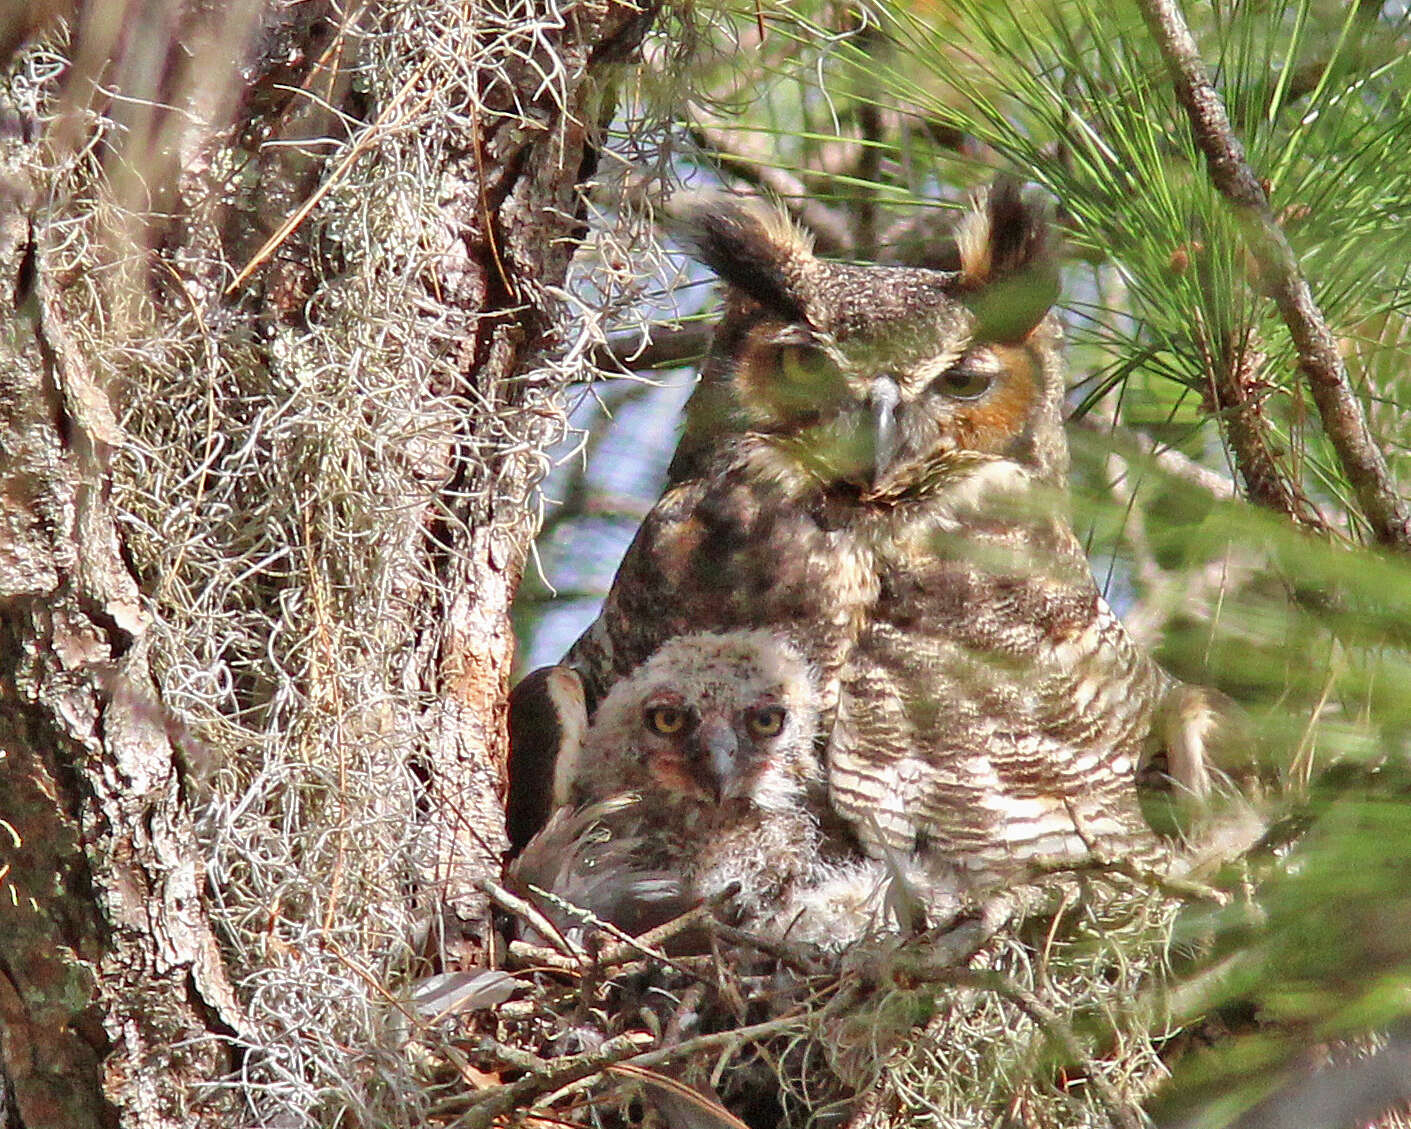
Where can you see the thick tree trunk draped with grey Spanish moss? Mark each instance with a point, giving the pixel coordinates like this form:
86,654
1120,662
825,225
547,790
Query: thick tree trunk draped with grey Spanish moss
269,433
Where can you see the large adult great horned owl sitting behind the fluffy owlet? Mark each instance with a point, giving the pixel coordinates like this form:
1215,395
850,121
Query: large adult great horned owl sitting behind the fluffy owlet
871,469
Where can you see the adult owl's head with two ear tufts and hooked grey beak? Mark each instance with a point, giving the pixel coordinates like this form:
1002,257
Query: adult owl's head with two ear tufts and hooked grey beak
883,379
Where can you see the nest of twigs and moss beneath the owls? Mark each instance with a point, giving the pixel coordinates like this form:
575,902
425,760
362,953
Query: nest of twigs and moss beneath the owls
1055,1021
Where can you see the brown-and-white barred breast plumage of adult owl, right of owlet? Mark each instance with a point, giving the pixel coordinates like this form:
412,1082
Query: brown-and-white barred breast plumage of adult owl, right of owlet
993,715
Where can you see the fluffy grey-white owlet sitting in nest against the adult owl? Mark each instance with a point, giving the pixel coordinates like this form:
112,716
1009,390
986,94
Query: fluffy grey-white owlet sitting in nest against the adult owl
699,781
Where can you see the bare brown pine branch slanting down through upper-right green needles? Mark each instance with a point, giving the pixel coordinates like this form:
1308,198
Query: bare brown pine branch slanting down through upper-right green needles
1319,359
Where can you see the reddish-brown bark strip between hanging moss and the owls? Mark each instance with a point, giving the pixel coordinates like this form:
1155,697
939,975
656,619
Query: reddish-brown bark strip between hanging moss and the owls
513,219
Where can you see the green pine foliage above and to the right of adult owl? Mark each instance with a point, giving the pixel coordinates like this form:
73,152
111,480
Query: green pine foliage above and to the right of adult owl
873,122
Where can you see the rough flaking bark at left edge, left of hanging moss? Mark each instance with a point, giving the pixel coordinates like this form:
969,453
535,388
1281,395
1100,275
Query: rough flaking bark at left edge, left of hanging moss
111,980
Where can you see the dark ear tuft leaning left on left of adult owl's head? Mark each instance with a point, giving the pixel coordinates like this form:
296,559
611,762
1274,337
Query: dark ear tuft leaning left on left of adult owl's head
753,246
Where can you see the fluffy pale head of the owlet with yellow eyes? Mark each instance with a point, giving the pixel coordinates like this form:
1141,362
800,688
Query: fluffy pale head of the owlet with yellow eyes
709,719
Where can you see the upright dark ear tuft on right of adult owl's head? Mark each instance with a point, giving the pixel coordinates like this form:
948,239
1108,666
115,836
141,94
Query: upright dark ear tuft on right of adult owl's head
1008,265
